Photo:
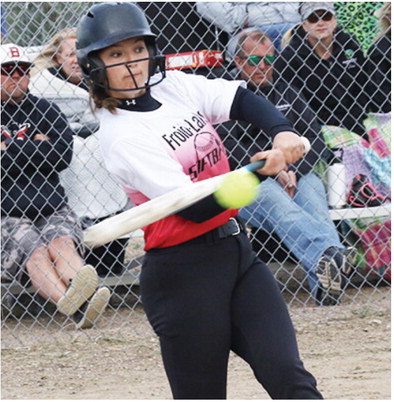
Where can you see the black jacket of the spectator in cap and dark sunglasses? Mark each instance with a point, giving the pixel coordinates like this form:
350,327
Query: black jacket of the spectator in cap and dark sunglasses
334,88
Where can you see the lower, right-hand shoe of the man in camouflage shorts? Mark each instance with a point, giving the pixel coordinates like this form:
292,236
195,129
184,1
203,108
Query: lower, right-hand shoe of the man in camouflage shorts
92,309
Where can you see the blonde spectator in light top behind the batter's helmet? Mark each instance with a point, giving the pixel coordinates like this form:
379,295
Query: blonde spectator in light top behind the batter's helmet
56,76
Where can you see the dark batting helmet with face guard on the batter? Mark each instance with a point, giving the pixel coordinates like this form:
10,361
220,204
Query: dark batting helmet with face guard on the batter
106,24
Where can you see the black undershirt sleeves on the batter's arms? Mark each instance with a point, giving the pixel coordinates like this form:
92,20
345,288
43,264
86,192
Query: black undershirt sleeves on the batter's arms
253,109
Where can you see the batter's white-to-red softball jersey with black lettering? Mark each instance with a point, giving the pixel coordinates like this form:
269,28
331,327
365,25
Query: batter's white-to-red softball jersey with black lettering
153,152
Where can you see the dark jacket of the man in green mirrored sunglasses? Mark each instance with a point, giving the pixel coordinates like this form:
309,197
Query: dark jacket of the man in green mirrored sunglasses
245,140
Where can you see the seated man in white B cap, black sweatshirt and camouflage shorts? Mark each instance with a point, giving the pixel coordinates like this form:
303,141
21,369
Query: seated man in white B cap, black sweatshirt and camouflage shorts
40,234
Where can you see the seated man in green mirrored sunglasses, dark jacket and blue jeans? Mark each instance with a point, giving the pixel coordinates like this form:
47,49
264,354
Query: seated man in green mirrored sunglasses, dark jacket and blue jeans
294,205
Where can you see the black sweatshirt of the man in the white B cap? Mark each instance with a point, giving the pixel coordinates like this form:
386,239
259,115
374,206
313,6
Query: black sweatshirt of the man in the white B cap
30,169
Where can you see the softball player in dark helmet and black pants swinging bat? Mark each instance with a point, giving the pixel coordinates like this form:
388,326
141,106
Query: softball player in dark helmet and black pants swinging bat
203,289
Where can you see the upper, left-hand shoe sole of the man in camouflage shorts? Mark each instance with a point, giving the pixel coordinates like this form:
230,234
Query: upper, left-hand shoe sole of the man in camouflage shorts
81,288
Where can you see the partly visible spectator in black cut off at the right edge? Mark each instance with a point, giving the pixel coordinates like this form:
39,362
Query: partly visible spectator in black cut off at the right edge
379,63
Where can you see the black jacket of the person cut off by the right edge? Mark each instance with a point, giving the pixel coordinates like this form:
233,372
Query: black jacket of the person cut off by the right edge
379,71
